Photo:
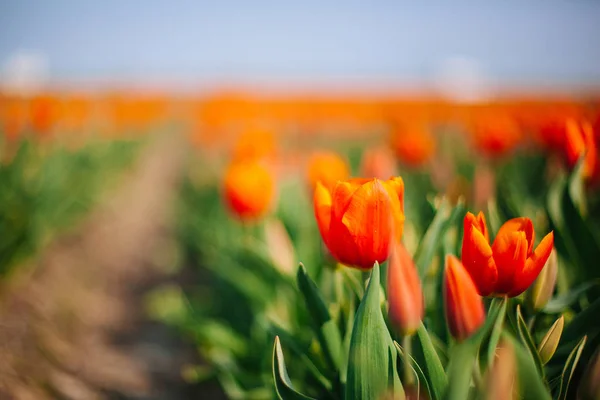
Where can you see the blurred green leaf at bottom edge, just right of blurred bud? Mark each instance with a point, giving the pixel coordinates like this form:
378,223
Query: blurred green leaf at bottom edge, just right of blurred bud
531,384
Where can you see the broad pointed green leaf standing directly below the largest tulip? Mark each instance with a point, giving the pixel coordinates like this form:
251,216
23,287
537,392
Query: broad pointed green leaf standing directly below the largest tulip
372,370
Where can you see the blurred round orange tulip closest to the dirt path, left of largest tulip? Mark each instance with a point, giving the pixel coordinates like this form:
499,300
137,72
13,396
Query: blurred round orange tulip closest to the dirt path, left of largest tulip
249,189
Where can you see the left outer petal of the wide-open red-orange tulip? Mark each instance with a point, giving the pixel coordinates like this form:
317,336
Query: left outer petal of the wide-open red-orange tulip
478,260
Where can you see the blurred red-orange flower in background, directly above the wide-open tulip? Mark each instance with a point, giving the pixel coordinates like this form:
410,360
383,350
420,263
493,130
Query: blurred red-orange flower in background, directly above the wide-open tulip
496,135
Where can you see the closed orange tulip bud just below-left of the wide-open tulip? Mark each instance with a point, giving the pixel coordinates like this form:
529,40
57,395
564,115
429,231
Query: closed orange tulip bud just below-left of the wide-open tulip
463,305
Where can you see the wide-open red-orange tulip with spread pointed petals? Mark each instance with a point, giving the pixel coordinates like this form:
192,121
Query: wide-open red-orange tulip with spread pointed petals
510,265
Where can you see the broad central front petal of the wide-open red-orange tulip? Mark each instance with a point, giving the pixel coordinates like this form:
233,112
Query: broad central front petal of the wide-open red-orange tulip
510,254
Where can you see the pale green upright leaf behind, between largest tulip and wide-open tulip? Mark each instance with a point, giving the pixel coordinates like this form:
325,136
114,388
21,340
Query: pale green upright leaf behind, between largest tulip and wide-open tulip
428,245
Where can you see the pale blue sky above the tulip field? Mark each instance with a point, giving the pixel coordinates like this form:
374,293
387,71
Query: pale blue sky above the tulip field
514,41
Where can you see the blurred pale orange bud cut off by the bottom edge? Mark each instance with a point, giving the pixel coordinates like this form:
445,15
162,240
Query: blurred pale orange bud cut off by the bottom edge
501,377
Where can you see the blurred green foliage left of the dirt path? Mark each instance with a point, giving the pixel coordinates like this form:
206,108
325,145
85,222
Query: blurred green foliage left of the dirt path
46,188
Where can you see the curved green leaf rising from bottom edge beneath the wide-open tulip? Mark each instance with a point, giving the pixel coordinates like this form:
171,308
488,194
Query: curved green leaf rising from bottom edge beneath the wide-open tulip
464,355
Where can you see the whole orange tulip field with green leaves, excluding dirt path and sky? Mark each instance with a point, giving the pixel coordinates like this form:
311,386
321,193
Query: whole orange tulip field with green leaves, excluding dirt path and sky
342,247
